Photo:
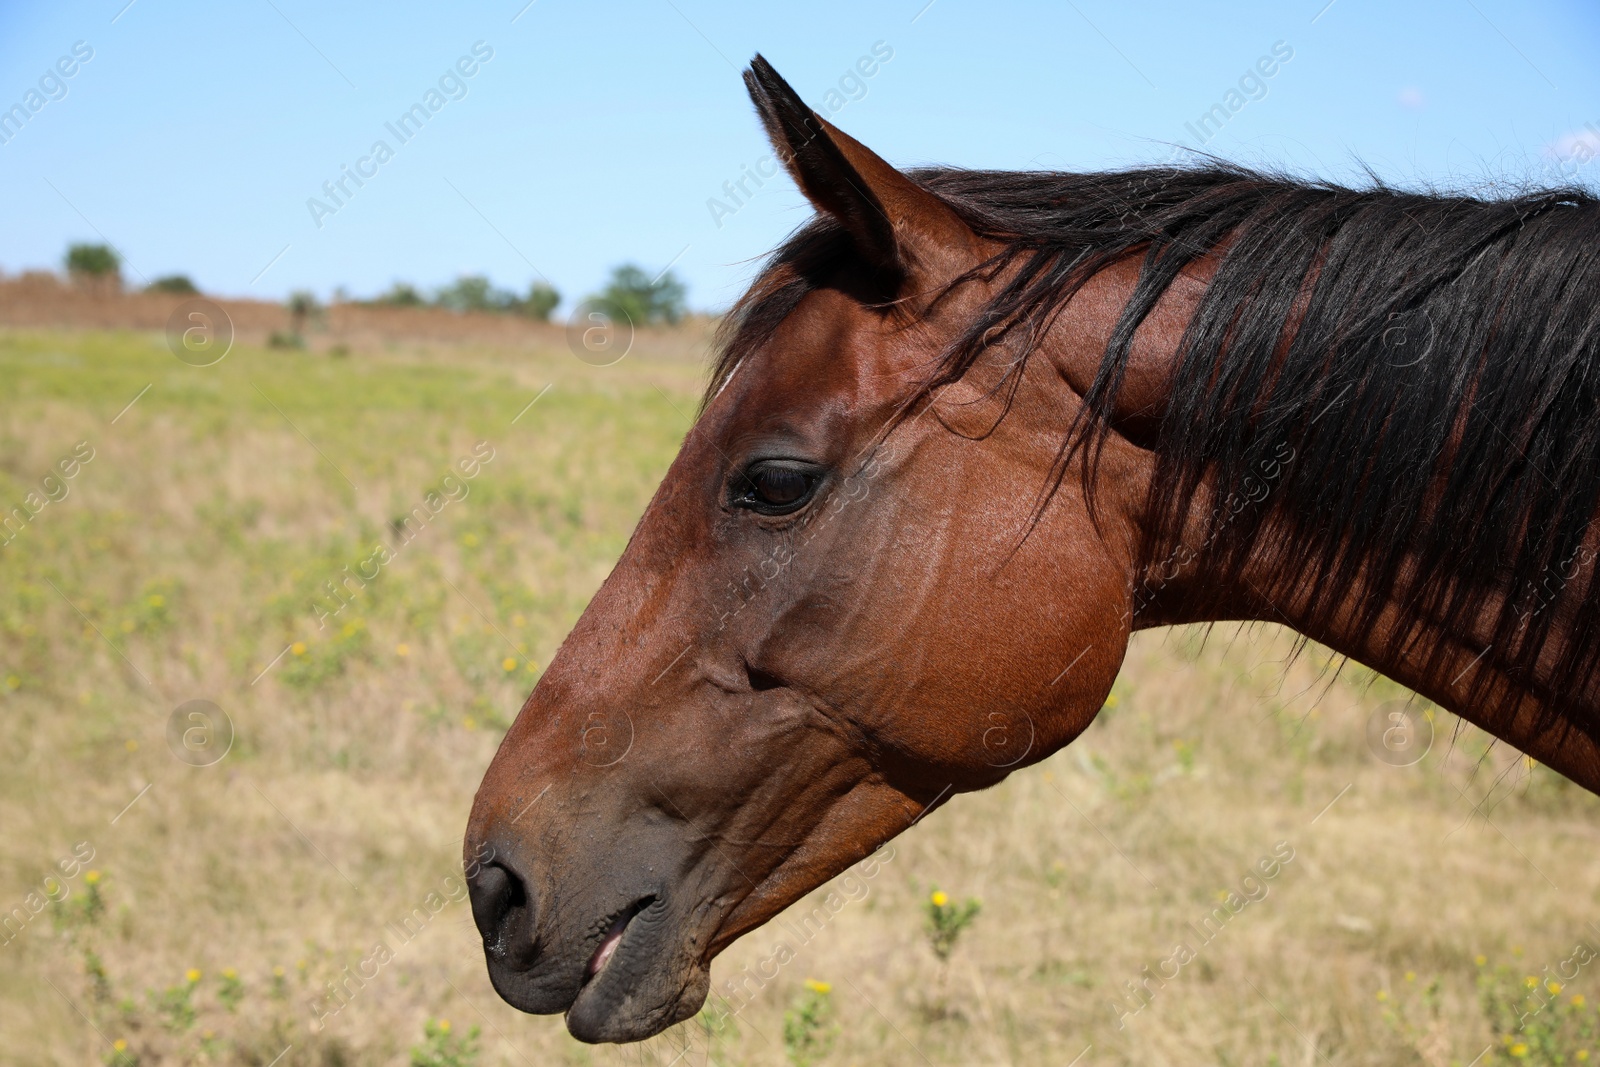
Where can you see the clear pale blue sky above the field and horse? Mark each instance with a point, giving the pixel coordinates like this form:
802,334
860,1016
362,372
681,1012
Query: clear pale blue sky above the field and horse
599,134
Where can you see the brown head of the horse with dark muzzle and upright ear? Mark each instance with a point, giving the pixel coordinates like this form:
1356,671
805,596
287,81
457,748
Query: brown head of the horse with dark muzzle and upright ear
842,607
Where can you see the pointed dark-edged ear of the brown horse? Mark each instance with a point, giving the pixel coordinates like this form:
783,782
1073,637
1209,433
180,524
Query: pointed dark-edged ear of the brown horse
898,226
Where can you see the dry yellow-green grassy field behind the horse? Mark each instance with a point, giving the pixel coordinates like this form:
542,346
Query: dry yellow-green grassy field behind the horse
198,914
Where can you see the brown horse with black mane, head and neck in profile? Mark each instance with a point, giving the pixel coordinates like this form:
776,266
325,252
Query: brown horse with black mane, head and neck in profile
967,433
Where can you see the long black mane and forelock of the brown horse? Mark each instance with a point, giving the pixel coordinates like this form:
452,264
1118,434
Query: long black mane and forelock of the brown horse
1433,362
